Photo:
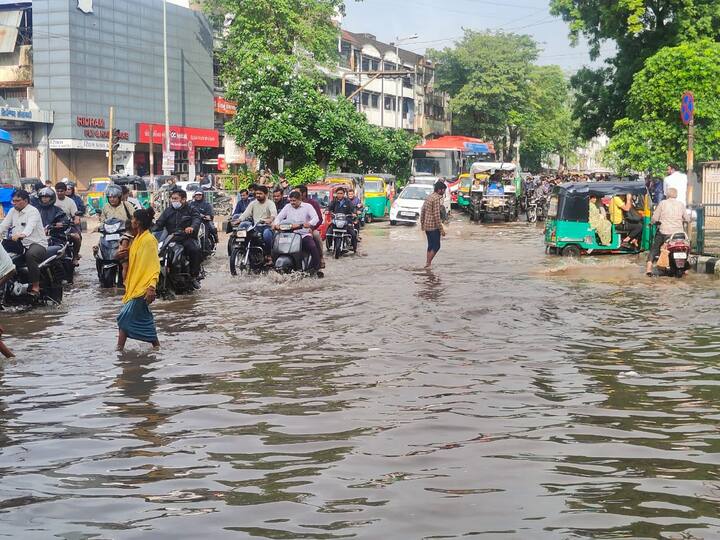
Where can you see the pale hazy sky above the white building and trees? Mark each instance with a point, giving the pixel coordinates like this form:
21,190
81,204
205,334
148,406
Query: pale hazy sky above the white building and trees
438,23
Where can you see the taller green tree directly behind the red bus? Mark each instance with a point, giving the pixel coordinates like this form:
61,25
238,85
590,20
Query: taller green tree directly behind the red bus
487,76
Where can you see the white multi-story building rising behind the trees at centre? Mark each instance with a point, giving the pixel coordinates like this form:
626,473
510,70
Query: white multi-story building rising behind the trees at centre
395,88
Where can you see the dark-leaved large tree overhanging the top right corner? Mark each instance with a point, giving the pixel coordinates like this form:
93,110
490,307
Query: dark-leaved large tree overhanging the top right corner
639,28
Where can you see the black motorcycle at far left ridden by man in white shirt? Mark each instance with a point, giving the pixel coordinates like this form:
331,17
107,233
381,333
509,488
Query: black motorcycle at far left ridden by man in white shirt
15,290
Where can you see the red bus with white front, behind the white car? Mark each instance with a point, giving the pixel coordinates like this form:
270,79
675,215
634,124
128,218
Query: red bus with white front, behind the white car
449,158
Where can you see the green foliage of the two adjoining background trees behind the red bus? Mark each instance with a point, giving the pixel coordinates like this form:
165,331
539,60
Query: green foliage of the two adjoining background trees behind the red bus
496,89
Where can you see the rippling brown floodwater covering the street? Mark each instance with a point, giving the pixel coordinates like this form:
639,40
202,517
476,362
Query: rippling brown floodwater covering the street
505,394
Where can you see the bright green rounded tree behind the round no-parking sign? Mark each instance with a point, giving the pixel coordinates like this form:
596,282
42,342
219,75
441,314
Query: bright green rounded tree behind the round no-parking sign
652,135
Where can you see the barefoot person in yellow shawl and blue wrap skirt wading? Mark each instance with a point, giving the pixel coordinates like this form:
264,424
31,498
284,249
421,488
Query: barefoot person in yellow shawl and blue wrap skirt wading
135,320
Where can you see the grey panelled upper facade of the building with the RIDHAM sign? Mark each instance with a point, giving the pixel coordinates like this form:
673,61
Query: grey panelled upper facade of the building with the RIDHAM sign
84,63
